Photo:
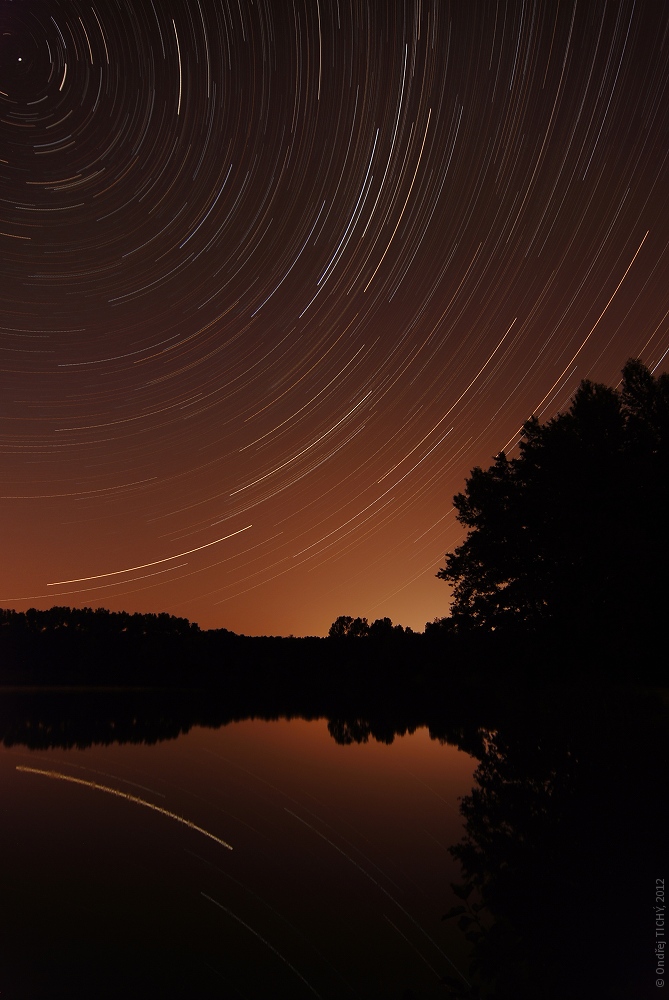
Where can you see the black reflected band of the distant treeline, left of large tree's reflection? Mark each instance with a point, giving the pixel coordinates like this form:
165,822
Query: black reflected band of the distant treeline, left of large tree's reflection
358,705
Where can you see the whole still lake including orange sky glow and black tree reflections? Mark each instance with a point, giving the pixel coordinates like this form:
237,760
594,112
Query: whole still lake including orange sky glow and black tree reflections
300,857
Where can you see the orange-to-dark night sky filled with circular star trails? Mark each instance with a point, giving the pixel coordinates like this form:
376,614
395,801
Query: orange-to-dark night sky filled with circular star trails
276,274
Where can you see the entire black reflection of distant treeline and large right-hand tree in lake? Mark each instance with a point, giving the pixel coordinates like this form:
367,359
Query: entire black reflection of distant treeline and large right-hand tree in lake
563,835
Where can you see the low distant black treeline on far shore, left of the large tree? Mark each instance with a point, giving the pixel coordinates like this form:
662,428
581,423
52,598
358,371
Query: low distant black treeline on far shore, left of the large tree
86,647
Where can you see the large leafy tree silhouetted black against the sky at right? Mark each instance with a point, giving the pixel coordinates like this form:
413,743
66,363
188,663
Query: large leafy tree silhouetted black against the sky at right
573,530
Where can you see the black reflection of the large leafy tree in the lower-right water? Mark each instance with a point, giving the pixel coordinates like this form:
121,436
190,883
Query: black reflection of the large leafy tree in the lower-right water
563,835
